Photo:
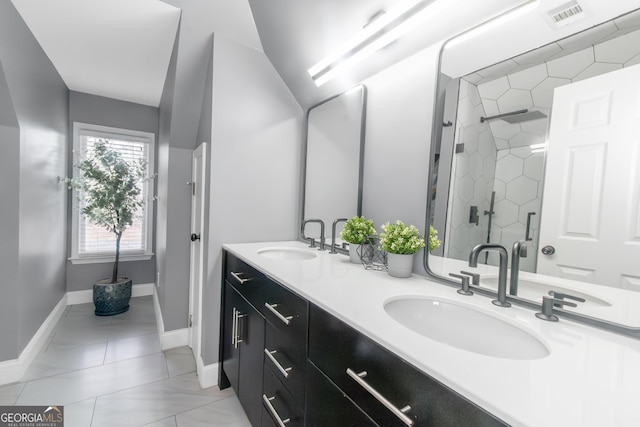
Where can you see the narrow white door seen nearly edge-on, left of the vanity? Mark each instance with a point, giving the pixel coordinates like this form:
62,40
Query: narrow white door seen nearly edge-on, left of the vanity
198,183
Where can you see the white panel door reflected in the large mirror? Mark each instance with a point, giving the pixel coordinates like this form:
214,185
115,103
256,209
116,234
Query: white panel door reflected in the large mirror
590,212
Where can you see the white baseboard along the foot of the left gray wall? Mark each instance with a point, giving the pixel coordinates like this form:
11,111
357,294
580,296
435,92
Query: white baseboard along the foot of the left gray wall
12,370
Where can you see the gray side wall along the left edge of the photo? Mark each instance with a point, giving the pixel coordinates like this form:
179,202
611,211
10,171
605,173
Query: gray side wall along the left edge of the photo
33,158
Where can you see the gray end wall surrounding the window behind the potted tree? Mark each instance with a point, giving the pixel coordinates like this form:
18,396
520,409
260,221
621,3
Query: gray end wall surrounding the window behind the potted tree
103,111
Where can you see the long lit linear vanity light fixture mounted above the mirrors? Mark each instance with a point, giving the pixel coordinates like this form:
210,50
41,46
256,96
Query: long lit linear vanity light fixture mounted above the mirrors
383,29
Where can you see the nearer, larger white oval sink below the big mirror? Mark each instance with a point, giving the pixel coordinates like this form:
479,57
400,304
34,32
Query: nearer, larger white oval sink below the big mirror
465,328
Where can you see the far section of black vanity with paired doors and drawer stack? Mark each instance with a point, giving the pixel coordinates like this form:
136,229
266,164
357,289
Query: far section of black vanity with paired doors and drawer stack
263,345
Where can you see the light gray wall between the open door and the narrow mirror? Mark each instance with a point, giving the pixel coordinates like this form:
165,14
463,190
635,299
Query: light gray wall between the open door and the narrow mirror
255,151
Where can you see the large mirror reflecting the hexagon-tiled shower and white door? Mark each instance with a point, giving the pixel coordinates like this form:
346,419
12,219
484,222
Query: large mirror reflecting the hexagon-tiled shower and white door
502,172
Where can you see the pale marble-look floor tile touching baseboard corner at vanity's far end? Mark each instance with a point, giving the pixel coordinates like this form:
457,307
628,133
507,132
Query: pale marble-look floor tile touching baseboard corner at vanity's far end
152,402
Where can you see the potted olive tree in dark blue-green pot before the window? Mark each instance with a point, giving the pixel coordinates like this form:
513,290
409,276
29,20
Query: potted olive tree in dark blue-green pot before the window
111,195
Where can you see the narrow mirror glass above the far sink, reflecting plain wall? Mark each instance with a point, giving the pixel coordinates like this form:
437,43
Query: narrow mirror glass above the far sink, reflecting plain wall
333,164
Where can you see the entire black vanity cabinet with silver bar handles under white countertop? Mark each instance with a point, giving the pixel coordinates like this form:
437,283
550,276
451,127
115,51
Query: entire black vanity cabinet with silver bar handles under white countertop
291,363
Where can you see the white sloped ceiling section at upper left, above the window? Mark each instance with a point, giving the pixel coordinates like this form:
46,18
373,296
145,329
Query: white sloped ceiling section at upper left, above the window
114,48
